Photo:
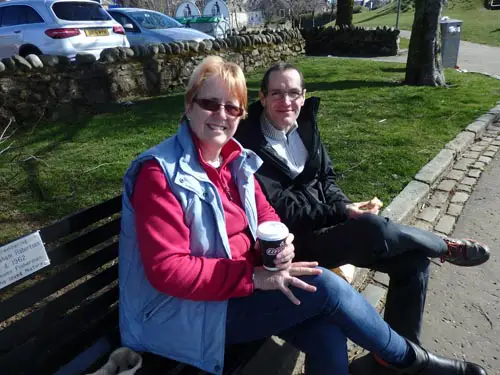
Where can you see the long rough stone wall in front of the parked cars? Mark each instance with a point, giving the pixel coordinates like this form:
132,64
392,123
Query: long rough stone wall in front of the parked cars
49,86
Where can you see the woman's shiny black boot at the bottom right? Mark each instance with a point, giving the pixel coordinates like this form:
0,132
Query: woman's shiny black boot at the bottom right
431,364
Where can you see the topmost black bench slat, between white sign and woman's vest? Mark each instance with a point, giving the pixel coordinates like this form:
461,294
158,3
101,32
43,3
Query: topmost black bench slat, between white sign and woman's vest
81,219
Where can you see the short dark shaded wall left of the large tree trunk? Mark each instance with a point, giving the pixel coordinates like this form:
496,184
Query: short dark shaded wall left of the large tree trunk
351,41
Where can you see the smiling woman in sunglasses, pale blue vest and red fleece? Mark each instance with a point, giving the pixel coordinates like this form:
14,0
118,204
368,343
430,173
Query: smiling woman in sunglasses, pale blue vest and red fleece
191,280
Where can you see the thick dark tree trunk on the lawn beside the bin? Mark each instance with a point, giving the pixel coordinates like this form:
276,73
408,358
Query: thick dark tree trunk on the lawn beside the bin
424,66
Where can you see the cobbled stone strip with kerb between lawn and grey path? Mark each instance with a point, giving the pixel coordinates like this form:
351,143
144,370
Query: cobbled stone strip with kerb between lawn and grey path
442,209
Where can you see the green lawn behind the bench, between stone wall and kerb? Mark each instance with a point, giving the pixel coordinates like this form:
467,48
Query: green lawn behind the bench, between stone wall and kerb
378,132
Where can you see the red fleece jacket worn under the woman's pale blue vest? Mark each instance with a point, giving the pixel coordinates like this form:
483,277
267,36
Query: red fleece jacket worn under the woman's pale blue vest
163,236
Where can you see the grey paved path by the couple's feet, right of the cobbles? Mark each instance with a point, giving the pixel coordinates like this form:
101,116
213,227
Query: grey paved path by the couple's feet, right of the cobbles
463,305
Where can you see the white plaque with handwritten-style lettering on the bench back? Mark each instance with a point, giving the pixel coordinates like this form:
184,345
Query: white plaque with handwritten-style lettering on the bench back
21,258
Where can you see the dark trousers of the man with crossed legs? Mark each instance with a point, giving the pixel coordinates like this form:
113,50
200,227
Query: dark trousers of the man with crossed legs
375,242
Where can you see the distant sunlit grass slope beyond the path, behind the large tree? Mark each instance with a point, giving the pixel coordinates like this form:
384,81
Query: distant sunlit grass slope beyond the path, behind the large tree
479,25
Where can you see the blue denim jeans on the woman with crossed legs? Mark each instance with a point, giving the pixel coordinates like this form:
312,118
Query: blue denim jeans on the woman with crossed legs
319,326
